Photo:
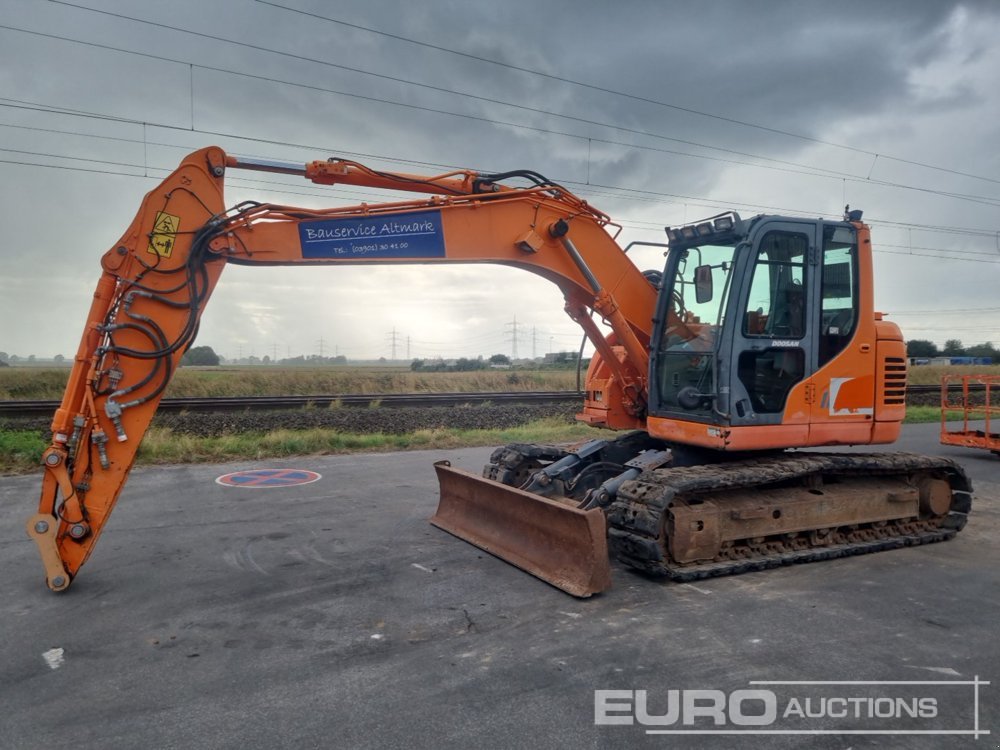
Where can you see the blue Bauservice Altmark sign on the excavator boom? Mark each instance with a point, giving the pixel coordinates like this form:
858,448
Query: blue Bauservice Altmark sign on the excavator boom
411,235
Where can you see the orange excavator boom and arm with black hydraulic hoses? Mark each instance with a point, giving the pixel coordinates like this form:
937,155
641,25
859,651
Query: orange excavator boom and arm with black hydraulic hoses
159,275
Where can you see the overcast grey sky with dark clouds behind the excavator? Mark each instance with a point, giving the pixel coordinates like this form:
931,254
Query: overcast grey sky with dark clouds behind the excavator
659,113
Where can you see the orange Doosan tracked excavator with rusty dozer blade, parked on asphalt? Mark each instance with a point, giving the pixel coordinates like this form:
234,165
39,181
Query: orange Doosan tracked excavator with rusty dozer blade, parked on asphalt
758,338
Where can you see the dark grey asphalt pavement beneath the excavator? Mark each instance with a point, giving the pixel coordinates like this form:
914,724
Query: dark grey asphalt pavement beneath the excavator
332,615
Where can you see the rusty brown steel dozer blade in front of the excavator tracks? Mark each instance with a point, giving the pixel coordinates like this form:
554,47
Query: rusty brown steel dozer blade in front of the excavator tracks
558,543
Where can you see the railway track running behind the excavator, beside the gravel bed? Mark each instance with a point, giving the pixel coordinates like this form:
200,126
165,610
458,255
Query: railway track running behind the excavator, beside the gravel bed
44,408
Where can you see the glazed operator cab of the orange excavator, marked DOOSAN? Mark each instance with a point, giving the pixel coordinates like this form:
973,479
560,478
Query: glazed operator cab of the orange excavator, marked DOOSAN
753,330
